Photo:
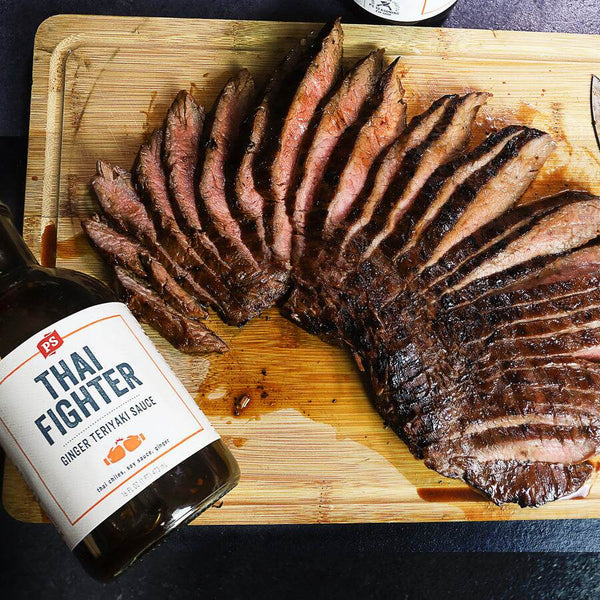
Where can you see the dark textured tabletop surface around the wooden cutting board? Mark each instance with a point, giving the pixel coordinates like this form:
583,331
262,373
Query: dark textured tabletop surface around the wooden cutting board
354,561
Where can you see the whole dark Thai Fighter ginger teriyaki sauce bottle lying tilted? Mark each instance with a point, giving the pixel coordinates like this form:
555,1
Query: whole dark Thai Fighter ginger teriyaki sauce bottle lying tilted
107,437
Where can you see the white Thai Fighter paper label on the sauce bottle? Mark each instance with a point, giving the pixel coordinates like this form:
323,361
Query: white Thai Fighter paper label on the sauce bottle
91,414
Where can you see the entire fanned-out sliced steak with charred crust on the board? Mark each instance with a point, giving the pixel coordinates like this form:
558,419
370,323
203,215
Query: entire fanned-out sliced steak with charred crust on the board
475,318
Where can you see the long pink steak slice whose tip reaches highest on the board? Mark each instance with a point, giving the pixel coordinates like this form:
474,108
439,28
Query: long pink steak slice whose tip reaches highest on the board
322,72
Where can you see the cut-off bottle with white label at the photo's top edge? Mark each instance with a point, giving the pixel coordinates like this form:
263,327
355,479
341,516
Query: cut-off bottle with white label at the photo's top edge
409,12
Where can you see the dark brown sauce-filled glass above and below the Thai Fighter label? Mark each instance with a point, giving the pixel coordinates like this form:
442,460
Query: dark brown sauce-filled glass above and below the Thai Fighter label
32,298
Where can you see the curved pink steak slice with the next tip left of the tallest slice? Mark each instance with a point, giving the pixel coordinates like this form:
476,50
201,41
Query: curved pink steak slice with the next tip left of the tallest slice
214,185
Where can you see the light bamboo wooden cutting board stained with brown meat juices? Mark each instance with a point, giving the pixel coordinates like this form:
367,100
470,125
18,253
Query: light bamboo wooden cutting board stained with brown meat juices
311,448
